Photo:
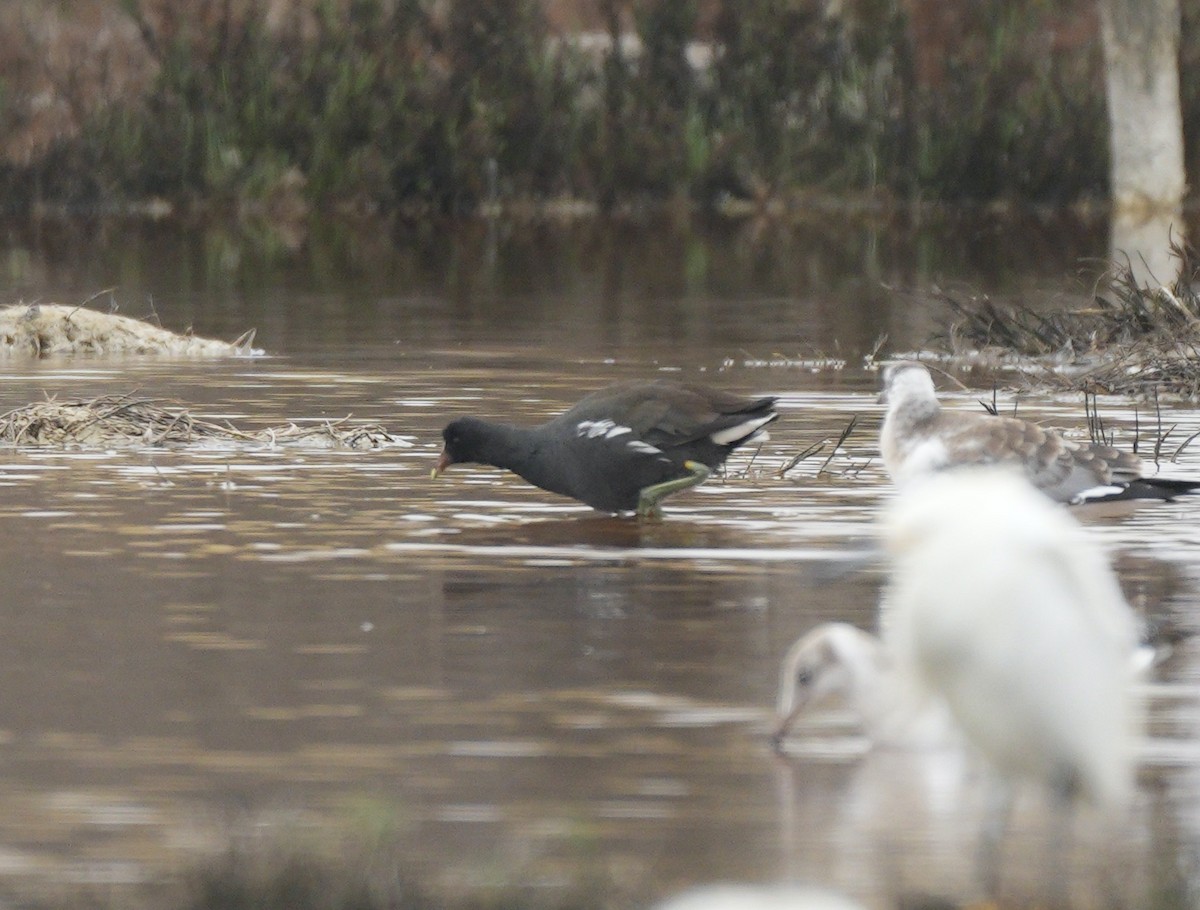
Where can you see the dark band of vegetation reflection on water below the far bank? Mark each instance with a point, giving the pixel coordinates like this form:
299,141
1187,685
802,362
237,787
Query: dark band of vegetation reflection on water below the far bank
589,289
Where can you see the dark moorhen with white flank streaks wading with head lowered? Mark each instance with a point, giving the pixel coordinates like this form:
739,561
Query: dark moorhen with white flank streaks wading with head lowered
621,448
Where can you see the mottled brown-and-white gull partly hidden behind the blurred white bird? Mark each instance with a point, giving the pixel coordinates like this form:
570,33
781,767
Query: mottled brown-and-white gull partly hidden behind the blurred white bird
921,438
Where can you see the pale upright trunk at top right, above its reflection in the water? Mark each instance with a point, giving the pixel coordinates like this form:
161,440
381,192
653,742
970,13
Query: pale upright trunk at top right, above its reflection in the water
1142,70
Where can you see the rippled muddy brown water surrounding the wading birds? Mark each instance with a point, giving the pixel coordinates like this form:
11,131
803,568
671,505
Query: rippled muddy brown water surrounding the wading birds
202,642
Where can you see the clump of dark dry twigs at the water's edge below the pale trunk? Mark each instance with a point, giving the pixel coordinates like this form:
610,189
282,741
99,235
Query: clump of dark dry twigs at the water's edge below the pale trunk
1131,339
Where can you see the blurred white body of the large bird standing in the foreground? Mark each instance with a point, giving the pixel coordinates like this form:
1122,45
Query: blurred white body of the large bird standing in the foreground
1003,606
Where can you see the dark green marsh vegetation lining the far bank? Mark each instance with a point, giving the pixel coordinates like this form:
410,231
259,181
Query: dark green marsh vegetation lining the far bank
449,106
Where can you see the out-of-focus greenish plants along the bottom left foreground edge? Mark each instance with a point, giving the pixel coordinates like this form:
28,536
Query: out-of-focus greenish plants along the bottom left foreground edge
352,860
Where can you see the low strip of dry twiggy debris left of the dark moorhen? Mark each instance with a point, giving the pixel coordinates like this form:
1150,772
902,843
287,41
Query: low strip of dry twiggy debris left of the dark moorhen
123,421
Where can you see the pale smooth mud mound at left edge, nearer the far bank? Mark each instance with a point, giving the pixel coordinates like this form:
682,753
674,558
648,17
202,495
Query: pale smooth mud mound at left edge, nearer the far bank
46,330
